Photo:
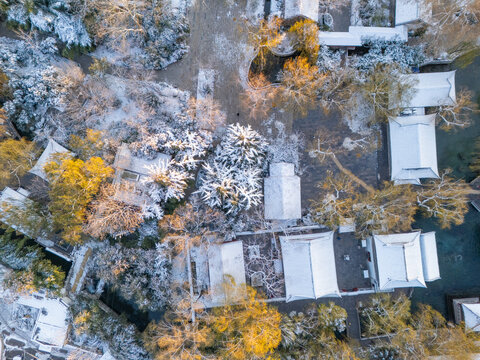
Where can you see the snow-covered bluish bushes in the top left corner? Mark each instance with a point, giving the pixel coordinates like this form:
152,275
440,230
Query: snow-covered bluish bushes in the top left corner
51,16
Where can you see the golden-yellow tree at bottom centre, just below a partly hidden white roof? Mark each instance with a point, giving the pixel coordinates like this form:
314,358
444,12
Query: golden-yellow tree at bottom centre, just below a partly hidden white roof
246,327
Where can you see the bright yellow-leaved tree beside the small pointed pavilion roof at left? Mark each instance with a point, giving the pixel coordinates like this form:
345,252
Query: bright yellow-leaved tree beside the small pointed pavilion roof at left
74,183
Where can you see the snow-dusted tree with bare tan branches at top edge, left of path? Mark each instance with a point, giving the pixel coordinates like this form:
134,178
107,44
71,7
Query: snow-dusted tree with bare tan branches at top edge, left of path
133,32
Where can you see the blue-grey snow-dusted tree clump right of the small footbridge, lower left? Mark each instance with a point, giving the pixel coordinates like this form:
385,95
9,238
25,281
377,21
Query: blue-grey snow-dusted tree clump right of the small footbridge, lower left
142,276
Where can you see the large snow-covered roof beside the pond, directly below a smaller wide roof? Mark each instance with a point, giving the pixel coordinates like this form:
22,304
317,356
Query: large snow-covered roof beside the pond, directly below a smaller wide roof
413,149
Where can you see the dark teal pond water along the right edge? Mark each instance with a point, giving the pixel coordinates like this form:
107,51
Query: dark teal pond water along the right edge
458,247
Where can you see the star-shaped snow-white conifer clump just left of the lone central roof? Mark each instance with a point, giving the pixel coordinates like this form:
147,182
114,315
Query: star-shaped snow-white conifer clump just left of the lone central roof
231,179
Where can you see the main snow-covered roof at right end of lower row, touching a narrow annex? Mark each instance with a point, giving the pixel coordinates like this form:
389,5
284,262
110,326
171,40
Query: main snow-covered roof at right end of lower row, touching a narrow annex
399,260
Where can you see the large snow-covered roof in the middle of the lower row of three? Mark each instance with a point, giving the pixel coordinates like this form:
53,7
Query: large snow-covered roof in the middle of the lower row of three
309,266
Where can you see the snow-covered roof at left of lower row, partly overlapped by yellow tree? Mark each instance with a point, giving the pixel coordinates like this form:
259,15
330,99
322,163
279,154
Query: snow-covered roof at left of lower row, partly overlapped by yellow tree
225,261
